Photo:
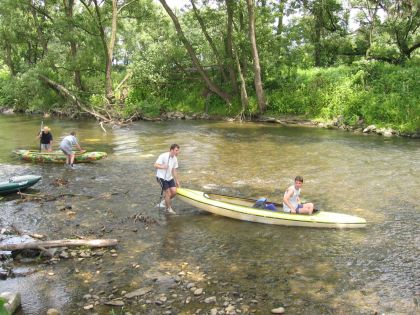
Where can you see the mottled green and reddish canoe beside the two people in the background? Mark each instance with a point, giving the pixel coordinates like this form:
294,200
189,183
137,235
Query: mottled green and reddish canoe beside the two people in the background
58,156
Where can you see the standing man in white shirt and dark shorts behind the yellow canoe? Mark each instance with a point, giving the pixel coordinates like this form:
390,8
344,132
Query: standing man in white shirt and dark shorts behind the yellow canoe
167,176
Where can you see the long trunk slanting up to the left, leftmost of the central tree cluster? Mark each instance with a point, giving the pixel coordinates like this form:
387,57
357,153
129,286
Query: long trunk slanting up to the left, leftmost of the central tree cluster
210,84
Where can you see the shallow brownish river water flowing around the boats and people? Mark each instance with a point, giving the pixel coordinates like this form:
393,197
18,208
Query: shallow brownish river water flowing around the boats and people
307,270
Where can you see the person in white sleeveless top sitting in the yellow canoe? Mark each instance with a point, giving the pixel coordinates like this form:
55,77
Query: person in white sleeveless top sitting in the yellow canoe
291,199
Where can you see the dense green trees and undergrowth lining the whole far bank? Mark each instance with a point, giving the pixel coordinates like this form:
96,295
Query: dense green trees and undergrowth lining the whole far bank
120,60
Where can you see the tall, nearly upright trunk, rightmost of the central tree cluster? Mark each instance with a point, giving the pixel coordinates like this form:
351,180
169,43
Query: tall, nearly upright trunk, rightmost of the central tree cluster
256,61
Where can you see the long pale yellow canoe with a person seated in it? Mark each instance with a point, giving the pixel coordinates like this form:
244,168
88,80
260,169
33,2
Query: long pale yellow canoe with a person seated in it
242,209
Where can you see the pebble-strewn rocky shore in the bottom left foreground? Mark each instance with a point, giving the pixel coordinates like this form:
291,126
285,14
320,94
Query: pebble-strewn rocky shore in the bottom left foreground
170,289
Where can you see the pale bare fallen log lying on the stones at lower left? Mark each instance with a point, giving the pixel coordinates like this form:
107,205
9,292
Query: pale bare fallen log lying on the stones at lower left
60,243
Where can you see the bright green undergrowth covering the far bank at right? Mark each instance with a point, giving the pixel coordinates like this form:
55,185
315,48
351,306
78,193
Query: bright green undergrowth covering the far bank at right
379,93
